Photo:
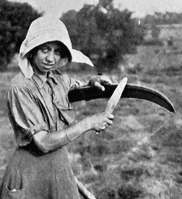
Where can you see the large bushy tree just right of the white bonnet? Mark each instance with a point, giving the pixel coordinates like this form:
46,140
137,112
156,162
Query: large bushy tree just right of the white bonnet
104,31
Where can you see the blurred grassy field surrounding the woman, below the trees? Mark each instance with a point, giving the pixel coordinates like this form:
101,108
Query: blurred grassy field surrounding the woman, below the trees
140,156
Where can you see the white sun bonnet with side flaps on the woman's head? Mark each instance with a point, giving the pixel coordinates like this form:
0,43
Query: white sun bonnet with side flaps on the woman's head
46,29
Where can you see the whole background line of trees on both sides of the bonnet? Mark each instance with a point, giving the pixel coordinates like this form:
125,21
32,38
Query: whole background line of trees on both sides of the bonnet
102,32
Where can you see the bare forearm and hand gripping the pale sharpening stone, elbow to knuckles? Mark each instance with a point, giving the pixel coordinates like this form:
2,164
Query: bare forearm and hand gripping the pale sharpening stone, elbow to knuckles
47,142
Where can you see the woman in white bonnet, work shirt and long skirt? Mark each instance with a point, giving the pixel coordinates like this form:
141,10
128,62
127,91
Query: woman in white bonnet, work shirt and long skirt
42,118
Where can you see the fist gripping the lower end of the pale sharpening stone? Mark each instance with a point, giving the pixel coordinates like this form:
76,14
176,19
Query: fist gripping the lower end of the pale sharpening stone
101,121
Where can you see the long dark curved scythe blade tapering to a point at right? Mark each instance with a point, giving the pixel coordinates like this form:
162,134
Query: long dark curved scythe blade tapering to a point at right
131,91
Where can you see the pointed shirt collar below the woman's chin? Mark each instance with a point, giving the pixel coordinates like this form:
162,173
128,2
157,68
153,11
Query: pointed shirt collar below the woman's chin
41,82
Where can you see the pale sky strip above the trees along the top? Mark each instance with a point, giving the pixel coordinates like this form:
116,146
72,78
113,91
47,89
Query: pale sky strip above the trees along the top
139,7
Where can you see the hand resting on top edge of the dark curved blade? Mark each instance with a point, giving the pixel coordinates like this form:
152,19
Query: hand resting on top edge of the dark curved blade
99,81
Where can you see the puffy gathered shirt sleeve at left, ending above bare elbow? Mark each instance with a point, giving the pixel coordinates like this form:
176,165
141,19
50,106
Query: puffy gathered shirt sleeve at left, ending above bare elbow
25,114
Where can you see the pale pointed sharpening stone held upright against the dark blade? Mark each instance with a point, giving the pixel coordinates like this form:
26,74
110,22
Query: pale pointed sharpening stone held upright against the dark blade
114,99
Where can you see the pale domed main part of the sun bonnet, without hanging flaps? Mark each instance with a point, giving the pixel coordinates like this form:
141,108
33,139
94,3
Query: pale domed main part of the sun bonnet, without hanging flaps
45,29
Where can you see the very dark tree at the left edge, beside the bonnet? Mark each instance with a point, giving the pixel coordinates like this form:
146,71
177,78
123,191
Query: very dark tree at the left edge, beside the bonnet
15,20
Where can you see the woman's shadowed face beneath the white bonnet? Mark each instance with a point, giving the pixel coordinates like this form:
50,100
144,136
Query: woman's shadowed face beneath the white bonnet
46,57
